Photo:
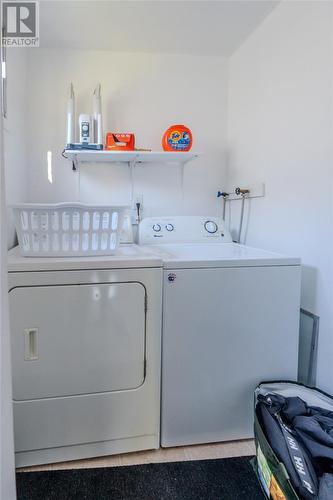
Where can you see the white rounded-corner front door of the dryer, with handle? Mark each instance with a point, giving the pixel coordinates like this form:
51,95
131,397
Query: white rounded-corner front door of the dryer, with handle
77,339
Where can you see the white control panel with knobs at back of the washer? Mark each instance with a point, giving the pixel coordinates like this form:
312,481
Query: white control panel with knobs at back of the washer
183,229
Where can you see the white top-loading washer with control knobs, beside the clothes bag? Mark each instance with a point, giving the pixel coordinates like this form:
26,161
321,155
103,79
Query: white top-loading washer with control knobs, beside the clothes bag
230,321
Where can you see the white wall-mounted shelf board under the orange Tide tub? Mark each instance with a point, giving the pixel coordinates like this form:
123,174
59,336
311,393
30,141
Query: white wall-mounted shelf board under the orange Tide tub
129,157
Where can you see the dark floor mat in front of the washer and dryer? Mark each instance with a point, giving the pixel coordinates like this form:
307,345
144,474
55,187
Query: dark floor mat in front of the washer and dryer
223,479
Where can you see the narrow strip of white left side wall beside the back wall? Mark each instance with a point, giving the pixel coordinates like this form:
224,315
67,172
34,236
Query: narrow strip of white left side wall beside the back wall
15,134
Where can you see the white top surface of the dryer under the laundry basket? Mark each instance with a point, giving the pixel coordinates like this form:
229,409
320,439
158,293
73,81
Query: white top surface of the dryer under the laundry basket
127,257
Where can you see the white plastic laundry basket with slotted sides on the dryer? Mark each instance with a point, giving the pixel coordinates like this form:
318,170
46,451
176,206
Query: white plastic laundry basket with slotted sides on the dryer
68,229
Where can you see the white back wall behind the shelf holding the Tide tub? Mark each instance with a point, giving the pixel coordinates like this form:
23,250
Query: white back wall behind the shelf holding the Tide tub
144,94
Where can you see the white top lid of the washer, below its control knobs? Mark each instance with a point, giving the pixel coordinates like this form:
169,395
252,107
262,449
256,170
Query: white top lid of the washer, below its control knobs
196,255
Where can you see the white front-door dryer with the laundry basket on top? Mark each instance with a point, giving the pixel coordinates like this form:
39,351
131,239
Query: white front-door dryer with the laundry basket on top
85,335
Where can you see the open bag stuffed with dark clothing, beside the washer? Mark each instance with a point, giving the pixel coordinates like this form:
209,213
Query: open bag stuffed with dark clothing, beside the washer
293,427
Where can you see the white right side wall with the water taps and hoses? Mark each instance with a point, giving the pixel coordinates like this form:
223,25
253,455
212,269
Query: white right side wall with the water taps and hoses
280,133
